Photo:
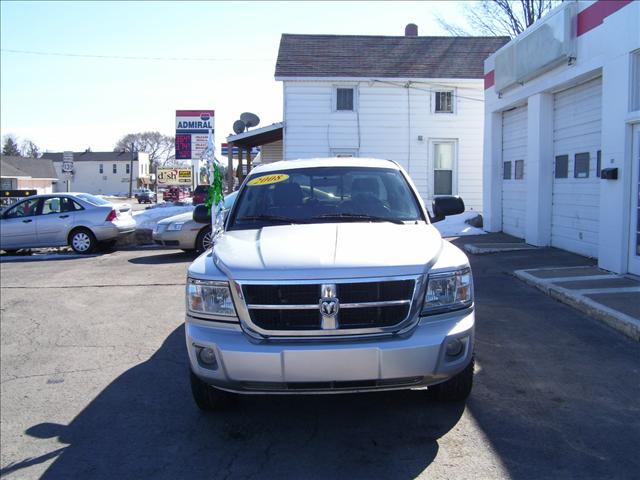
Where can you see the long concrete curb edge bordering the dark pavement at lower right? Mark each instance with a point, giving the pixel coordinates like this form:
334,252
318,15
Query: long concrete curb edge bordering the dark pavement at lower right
619,321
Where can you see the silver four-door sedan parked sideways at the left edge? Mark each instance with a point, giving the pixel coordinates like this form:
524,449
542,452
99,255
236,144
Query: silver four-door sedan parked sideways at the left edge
79,220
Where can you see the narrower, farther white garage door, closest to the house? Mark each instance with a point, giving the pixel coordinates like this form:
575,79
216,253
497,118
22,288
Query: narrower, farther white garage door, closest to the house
514,156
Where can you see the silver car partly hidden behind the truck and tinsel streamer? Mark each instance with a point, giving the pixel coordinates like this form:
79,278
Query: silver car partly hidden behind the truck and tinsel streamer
180,231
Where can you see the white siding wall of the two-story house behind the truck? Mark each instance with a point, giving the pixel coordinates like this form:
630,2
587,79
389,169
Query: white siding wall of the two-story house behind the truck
381,127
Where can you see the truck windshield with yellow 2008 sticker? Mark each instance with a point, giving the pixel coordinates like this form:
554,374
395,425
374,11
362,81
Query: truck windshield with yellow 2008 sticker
325,194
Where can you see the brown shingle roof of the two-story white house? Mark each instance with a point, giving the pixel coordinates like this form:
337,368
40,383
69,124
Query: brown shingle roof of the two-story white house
384,57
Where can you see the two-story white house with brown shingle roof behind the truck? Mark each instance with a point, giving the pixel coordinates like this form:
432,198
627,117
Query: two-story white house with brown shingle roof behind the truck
416,100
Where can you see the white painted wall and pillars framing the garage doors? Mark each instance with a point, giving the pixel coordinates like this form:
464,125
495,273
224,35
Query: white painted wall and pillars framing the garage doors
605,51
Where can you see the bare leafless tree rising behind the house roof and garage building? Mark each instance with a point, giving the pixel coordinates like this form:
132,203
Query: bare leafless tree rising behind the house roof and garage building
497,17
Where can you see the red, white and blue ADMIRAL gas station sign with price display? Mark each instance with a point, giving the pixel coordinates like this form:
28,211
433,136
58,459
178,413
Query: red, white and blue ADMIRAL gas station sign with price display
192,130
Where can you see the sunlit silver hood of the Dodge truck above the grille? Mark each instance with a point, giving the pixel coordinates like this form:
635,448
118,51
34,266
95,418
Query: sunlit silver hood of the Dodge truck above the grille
327,250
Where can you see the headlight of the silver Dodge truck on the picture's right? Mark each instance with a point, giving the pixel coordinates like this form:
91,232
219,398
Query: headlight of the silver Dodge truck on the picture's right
448,291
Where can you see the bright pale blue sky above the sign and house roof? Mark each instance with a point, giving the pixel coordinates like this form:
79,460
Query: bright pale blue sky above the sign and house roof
71,103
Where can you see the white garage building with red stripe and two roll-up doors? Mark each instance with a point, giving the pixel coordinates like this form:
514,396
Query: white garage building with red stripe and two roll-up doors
562,128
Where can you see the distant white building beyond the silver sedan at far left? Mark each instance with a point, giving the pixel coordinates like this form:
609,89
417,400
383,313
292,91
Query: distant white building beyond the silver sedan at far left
102,172
